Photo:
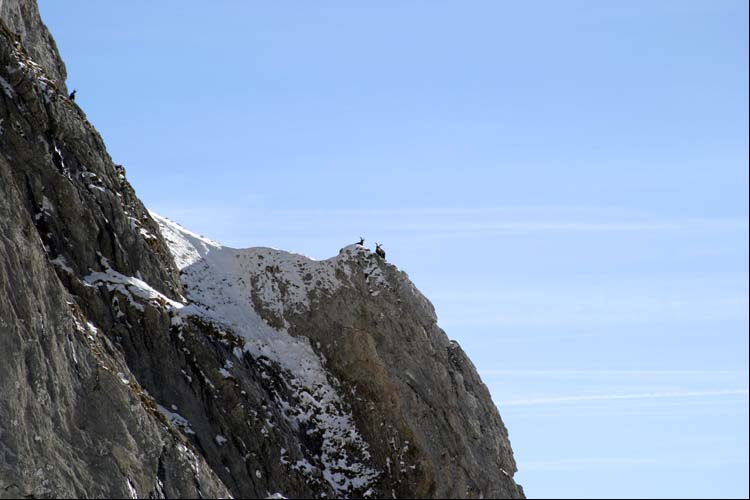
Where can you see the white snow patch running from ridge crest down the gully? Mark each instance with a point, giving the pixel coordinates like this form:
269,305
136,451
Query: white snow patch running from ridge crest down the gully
227,286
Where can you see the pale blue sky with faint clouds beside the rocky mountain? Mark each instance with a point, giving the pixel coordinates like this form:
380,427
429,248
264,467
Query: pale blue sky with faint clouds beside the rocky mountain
566,181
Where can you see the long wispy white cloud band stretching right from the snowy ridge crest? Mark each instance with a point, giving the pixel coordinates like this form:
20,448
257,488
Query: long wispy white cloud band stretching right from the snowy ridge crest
440,223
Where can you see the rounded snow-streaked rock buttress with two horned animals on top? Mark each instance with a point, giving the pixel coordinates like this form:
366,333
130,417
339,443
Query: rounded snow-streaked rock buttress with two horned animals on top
306,317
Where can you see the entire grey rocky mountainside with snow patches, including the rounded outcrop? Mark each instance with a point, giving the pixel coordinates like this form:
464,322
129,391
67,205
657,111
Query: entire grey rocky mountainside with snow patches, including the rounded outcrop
138,359
